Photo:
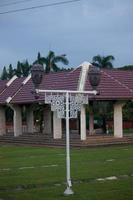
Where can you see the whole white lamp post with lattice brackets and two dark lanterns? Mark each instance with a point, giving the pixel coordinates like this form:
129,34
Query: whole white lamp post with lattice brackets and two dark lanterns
67,103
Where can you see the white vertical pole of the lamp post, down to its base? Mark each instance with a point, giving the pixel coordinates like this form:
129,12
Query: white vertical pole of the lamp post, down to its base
68,190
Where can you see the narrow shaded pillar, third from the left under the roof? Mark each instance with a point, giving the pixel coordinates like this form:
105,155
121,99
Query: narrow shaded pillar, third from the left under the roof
30,120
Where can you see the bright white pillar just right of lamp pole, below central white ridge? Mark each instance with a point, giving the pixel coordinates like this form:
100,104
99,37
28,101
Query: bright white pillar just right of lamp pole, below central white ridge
83,123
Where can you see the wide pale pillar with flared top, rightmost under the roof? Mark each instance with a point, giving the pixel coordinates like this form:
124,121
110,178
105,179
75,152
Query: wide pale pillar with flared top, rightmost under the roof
118,120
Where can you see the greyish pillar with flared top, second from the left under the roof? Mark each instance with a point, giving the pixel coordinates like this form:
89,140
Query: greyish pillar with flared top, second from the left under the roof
17,120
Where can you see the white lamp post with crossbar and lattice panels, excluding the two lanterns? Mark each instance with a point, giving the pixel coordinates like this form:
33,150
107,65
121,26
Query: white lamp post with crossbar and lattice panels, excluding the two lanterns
67,103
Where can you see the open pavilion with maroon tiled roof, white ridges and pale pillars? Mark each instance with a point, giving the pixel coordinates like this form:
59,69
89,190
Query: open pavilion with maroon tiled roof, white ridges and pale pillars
115,86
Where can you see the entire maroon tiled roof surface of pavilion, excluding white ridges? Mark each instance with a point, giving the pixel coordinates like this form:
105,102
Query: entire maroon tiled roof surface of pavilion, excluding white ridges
114,85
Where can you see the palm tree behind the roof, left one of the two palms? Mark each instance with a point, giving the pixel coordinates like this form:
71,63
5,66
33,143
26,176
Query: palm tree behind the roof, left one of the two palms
51,61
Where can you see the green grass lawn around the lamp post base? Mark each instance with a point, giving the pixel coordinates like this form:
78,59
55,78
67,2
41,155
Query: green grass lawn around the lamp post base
32,173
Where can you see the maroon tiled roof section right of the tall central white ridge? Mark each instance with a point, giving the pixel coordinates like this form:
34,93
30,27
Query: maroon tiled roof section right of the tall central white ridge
115,84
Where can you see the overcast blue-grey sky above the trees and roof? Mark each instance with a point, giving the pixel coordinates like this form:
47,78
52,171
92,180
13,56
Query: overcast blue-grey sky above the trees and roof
80,30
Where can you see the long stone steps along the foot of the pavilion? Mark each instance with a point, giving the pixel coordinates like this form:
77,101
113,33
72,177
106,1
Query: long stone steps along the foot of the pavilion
42,140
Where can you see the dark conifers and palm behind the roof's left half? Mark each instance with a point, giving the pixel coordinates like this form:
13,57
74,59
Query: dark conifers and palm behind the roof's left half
22,69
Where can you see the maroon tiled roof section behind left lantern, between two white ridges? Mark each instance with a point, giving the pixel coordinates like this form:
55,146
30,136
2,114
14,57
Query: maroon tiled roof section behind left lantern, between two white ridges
53,81
